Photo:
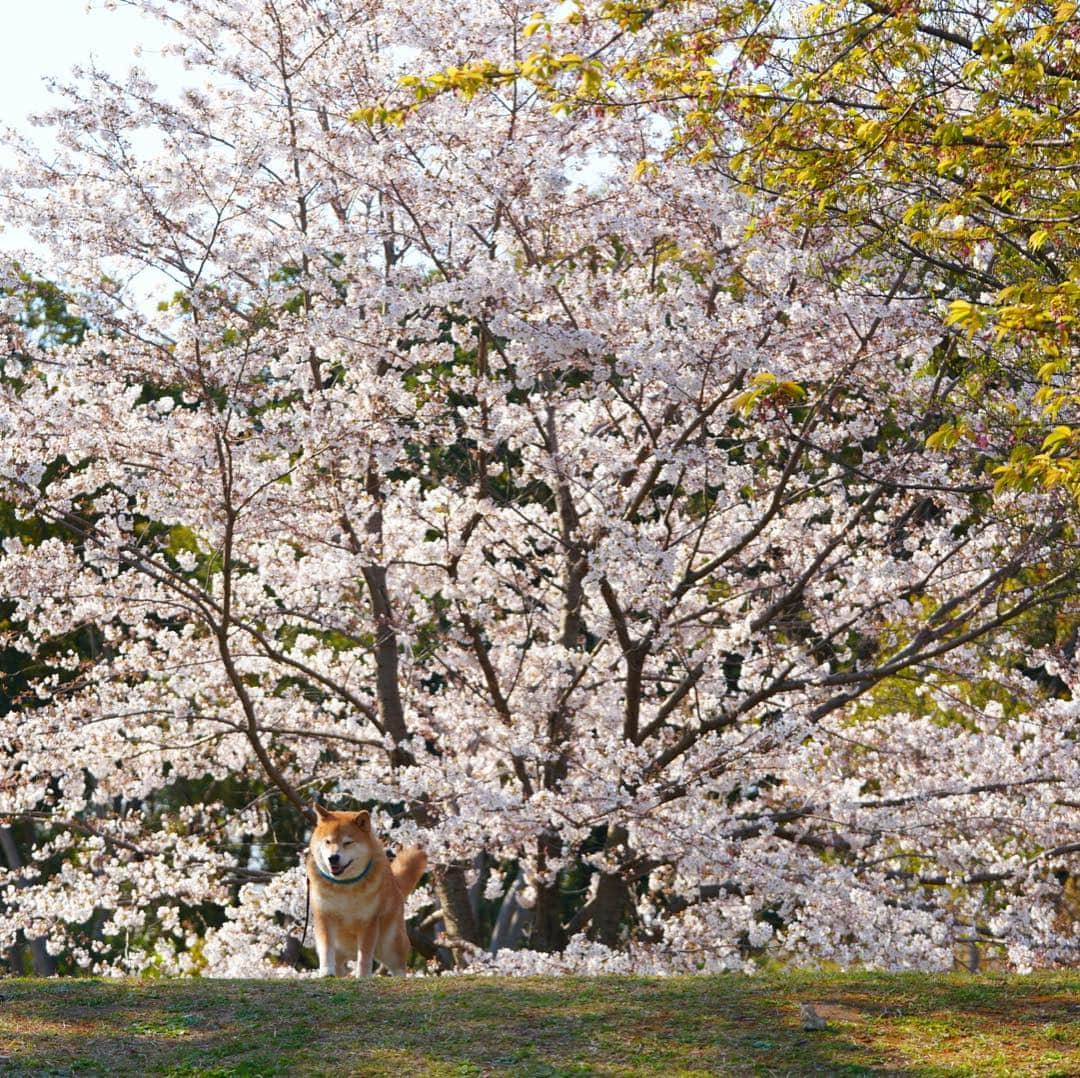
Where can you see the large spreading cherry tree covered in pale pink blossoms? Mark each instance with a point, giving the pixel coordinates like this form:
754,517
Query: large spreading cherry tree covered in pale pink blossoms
579,520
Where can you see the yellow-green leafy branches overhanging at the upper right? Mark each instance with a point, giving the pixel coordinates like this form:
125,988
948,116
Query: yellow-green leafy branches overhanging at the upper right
948,137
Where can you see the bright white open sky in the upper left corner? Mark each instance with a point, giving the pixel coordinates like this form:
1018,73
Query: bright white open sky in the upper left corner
44,38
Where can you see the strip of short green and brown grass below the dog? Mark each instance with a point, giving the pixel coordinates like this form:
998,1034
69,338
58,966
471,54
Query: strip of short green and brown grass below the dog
879,1025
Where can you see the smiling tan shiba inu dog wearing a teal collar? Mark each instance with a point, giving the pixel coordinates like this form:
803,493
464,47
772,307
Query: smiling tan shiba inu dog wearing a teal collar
358,896
